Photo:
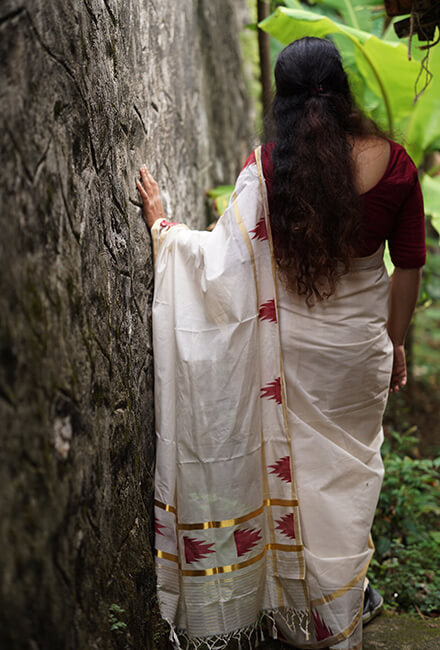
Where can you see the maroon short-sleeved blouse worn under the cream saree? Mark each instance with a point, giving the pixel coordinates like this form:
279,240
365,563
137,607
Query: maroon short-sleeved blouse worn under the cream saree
392,209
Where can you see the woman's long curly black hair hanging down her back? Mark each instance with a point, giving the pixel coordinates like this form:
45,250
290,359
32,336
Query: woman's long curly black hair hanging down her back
315,210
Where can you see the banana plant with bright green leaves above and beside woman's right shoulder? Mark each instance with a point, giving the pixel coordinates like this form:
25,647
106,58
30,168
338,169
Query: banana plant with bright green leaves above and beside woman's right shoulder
383,80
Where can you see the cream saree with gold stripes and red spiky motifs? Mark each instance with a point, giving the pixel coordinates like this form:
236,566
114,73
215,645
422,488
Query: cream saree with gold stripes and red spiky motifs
268,416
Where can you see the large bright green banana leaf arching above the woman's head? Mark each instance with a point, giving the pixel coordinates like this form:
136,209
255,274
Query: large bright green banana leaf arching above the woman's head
382,78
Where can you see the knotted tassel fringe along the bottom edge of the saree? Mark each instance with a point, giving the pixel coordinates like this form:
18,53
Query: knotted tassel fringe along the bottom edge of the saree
292,617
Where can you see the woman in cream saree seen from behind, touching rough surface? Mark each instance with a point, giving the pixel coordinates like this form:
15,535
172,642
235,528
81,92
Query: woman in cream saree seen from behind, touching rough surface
275,350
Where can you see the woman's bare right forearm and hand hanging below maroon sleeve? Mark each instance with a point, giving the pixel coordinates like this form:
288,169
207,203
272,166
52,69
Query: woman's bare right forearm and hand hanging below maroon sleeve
405,287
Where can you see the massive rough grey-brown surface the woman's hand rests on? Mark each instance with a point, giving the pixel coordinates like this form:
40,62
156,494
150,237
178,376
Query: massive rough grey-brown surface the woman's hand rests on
90,90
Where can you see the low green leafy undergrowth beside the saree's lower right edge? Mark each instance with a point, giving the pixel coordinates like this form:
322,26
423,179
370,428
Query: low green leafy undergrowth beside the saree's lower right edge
406,565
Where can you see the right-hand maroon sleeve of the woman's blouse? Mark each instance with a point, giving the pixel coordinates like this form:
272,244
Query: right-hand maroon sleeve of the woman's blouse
407,240
